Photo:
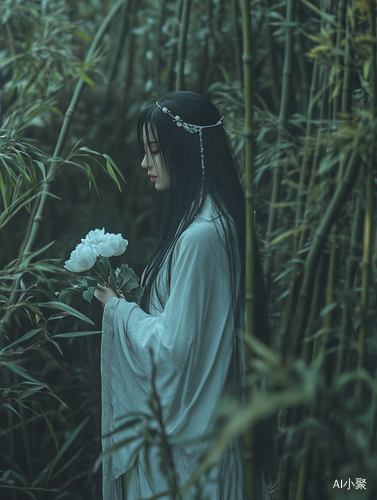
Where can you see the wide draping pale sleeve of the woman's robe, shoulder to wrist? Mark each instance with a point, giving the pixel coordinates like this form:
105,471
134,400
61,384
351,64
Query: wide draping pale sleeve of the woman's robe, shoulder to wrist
192,342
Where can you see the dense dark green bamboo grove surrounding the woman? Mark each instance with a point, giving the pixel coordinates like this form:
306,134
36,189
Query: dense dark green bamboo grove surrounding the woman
296,81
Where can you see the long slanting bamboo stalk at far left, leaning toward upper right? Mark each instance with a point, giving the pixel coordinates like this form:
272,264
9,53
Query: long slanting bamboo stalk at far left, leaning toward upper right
30,237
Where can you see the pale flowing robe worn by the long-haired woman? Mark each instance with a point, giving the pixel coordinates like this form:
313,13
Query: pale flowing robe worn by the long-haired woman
196,353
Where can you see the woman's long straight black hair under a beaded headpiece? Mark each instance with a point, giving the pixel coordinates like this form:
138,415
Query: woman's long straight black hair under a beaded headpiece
180,151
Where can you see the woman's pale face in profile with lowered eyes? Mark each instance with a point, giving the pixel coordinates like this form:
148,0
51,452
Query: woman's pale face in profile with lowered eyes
154,162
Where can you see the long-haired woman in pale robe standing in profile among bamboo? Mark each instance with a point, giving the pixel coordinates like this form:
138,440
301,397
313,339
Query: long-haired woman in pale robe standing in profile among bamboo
191,313
